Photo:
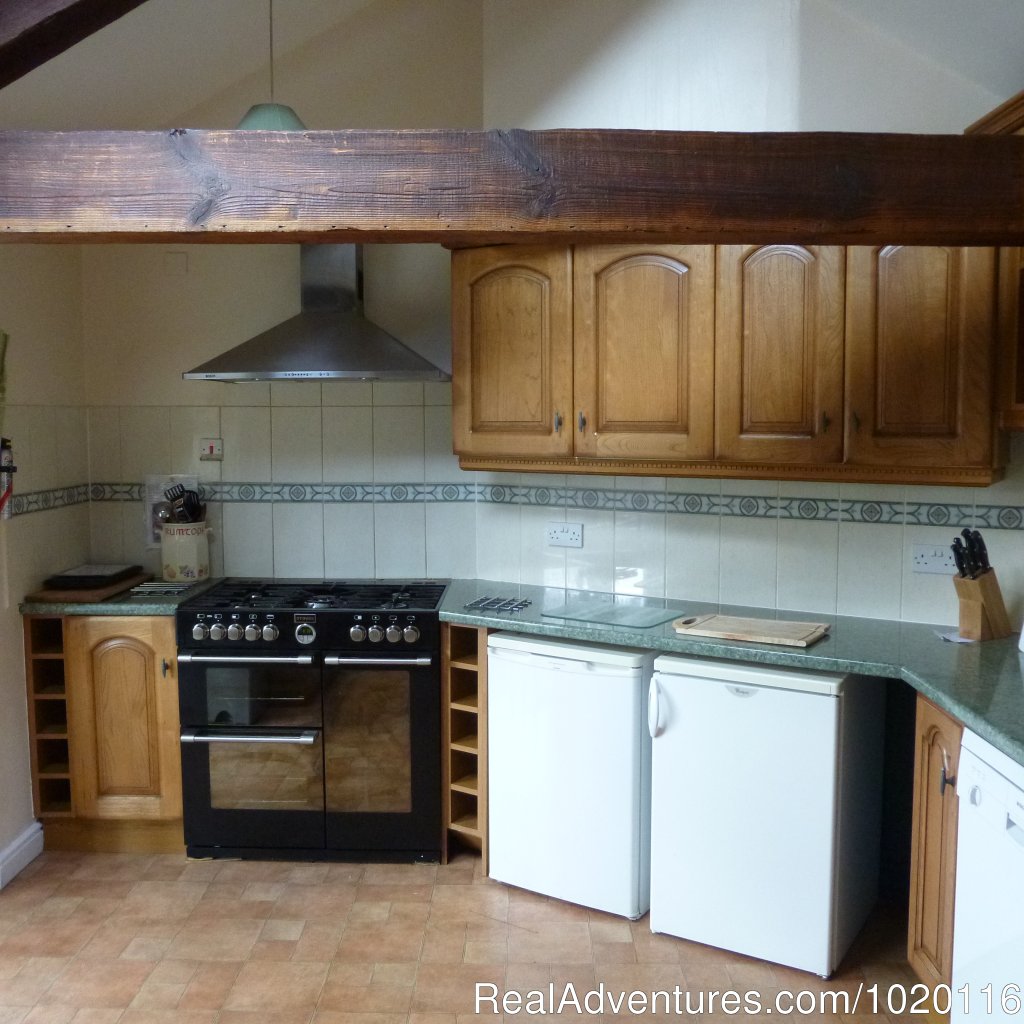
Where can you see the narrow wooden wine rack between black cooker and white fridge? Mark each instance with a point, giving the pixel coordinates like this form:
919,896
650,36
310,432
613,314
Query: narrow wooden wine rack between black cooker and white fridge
464,672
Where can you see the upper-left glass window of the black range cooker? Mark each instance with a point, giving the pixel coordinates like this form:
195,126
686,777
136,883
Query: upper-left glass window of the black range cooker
263,696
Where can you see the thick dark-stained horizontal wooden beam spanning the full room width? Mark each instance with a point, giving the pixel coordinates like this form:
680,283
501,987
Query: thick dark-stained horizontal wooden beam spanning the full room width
463,188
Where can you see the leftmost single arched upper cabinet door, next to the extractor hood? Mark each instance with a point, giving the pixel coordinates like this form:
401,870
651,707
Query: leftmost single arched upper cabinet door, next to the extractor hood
513,352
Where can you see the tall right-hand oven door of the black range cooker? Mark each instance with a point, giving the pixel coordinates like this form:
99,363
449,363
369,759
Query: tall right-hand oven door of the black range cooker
382,754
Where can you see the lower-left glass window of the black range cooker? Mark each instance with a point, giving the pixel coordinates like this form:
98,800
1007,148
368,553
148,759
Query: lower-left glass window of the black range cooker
266,776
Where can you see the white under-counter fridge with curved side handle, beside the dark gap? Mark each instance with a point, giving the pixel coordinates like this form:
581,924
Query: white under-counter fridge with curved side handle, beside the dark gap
765,808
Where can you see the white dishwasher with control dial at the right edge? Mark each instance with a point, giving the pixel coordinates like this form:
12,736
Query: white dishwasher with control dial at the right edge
989,927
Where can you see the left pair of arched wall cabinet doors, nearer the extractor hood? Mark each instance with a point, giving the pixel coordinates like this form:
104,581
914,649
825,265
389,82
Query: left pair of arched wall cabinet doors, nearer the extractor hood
602,352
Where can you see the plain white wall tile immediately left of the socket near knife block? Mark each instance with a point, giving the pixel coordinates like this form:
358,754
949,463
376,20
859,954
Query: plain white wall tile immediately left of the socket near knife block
870,570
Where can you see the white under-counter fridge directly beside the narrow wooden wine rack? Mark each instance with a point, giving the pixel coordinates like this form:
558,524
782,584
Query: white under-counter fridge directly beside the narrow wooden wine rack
569,771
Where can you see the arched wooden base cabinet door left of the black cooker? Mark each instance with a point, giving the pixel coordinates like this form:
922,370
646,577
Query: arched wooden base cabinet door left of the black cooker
123,717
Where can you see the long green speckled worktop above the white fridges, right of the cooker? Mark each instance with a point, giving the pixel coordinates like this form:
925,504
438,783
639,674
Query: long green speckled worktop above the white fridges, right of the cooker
983,685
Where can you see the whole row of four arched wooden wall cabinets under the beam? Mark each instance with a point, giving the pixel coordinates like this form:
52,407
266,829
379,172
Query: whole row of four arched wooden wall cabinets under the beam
817,363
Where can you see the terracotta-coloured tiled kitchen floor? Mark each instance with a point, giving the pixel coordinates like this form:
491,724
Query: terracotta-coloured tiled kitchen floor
103,938
